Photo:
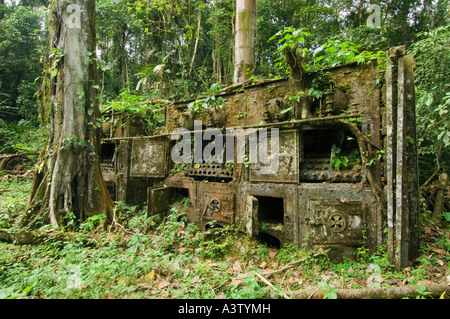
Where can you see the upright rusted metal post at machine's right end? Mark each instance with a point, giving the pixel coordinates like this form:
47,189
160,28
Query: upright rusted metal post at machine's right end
401,159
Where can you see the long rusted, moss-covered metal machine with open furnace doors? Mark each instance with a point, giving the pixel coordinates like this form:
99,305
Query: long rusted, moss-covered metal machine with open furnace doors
347,161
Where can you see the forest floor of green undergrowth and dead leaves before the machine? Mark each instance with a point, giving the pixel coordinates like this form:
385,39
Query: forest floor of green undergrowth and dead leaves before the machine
155,257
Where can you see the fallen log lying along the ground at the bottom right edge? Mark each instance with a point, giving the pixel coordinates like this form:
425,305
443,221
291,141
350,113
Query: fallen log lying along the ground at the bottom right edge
435,290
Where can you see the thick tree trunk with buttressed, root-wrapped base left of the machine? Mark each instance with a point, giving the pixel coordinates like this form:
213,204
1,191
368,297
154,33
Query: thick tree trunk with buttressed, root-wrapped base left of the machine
70,179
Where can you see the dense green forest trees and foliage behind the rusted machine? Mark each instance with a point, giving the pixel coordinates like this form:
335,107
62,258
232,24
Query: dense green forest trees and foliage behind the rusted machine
178,49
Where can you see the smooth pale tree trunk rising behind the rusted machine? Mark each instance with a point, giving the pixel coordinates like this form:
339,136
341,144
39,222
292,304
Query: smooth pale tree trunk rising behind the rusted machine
244,57
